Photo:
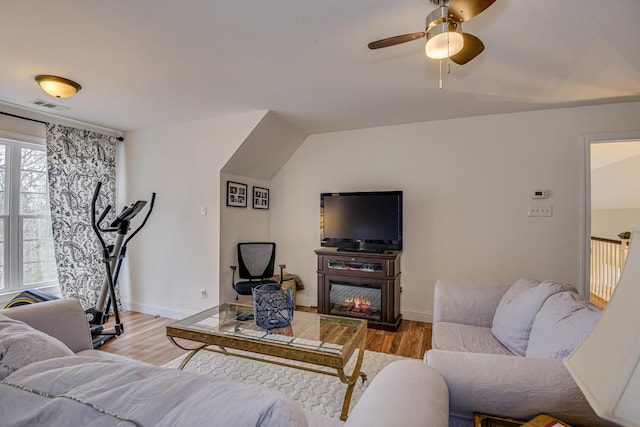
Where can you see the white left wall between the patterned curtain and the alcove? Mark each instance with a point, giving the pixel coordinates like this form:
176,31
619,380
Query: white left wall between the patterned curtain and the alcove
177,253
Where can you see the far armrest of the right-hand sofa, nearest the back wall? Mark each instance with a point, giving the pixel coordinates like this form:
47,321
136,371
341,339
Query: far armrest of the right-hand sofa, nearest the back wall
469,303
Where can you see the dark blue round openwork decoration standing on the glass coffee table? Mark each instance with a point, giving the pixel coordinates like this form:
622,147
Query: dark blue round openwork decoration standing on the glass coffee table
272,306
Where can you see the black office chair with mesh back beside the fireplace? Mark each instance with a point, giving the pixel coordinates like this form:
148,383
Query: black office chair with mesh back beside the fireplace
256,261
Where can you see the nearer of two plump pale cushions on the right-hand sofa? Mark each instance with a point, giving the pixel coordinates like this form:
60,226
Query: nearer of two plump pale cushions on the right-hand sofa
562,323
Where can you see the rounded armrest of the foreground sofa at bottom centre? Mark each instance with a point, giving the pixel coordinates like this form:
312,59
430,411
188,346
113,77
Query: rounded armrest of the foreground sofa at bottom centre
405,392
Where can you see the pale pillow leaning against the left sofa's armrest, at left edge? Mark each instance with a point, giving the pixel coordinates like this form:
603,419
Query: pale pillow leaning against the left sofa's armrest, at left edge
21,345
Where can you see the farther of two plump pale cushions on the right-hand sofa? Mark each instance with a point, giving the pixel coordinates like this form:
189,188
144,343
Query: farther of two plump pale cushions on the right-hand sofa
517,310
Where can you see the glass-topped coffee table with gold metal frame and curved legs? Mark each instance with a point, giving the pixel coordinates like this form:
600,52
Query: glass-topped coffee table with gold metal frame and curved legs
315,339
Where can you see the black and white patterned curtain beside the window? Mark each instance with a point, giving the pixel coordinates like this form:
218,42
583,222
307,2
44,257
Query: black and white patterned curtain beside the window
77,160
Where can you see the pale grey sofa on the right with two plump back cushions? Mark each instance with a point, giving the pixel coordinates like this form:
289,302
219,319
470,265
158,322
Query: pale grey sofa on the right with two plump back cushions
499,348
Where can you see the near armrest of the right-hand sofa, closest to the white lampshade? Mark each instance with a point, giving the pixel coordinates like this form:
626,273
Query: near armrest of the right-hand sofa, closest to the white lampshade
517,387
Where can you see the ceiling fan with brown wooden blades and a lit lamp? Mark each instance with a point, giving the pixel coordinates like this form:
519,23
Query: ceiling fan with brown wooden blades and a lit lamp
443,31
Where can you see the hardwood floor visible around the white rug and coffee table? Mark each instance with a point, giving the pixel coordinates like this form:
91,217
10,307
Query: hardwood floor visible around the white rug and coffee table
144,339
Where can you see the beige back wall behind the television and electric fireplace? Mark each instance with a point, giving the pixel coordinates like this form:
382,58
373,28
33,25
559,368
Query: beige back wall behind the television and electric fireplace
467,185
